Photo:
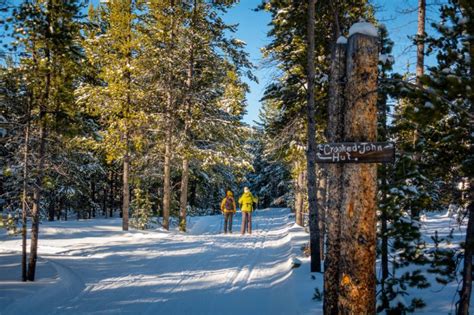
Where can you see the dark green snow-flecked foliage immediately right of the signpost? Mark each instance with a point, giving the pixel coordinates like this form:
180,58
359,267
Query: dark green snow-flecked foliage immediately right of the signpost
403,193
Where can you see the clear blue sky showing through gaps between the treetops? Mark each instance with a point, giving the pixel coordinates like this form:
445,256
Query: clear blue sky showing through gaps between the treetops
253,28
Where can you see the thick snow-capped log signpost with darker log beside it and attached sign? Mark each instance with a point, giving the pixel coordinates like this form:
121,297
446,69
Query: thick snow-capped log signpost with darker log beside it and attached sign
350,282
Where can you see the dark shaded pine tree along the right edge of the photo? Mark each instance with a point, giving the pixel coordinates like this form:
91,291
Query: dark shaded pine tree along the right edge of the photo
448,108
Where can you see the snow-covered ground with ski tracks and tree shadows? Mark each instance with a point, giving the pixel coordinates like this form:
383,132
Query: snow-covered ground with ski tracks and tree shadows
92,267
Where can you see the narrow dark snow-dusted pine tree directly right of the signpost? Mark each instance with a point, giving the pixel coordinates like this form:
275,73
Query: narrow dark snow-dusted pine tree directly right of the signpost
398,232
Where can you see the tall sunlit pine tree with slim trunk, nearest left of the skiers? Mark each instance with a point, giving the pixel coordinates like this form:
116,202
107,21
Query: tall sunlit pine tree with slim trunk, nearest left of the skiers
206,36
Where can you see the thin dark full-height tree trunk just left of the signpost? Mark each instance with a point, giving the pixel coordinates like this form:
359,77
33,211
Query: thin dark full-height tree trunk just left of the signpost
311,150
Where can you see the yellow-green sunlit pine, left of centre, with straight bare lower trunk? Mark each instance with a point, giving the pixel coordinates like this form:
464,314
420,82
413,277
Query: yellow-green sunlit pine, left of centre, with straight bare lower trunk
116,97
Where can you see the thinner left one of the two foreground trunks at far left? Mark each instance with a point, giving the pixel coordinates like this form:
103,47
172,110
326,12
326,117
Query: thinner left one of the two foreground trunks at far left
24,203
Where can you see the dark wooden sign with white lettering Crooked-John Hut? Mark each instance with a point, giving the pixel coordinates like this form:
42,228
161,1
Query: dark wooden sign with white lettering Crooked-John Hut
355,152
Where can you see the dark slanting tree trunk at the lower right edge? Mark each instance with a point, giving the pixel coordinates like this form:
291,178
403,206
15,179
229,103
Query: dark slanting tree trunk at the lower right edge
465,293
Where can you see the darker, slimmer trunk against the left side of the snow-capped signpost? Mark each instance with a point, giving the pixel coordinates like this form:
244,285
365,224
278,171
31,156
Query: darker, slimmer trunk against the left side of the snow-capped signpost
336,109
